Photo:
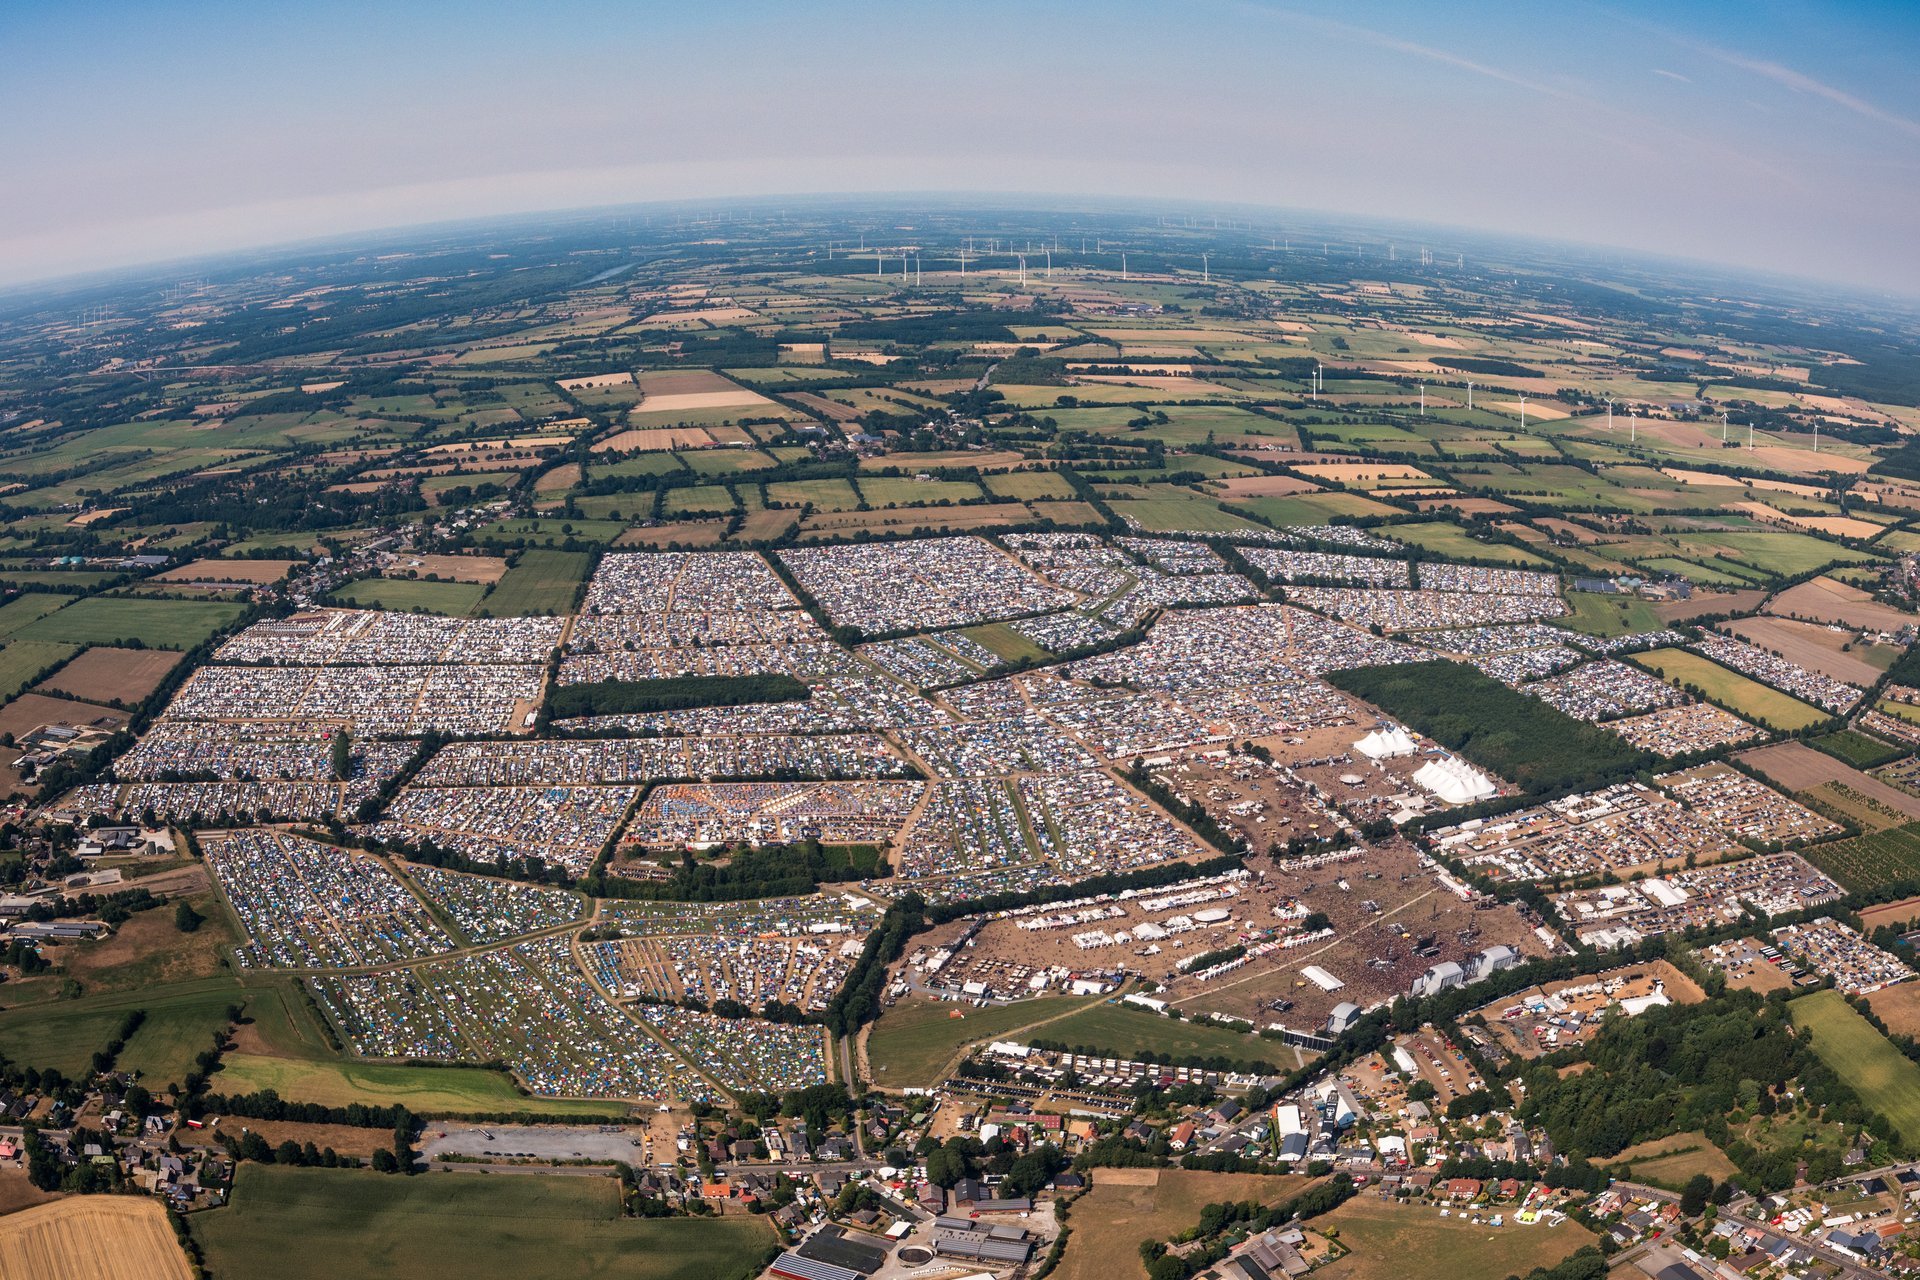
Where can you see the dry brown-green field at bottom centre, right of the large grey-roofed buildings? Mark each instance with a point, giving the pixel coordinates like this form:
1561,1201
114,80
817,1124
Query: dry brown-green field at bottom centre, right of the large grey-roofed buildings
1132,1206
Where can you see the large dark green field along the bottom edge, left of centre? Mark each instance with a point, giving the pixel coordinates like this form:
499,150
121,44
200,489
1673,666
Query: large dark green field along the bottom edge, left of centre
456,1225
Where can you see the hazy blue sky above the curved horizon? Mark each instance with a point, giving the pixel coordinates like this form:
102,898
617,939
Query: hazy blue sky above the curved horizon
1779,135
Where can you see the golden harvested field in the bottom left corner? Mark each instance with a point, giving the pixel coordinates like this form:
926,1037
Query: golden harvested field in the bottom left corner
93,1239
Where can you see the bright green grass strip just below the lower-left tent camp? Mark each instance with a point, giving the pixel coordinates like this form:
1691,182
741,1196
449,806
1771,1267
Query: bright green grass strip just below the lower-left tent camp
423,1089
